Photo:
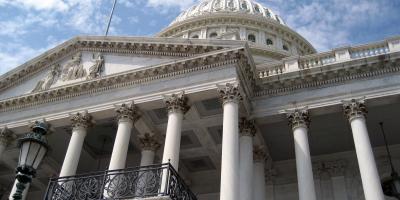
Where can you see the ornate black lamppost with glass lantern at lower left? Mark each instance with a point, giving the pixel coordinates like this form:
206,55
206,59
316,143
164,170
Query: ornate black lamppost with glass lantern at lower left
33,148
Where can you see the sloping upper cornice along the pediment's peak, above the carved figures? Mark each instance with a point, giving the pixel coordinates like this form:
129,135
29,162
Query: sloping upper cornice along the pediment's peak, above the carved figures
125,45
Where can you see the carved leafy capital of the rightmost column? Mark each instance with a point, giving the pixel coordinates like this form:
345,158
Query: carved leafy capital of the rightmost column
354,109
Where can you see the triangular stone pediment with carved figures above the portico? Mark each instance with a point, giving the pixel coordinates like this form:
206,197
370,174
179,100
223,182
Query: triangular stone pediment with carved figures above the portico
91,58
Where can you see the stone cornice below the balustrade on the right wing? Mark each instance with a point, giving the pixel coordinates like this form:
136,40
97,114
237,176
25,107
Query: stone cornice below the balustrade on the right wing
328,75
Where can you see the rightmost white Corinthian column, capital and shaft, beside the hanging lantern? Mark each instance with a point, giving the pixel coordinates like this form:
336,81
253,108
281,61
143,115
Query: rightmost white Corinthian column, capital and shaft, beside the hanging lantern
355,112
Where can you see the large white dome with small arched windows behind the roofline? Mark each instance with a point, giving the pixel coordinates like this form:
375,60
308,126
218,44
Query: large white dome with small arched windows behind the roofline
246,20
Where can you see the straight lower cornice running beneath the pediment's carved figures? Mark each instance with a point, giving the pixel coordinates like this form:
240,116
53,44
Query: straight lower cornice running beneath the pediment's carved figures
202,62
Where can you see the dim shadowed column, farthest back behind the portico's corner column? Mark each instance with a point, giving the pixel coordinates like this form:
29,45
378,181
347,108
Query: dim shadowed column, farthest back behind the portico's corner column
259,186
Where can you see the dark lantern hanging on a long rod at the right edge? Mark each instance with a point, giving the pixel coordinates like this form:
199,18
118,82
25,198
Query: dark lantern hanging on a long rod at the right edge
390,186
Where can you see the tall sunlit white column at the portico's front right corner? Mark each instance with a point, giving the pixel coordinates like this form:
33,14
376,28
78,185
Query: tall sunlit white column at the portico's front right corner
230,142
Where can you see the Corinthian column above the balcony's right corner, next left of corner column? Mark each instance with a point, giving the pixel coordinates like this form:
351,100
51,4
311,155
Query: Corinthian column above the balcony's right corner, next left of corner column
177,107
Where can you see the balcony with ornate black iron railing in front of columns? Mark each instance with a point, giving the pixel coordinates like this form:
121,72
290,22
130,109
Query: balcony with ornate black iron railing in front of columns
150,182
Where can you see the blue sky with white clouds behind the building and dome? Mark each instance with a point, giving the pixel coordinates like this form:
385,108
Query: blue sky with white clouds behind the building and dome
30,27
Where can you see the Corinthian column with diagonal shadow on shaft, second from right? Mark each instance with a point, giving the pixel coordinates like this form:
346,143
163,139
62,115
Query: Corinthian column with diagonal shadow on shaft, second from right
299,121
